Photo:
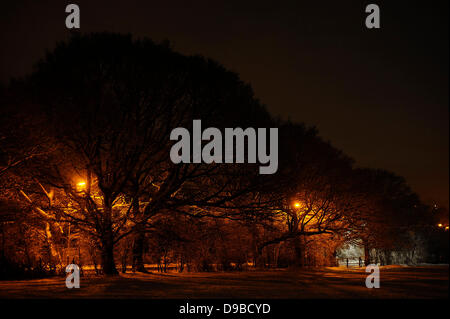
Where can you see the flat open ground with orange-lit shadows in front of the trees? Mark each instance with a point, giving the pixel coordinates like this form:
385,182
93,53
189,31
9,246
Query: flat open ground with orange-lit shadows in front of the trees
333,282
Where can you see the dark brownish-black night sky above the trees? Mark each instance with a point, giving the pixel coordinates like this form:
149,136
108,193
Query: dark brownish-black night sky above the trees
379,95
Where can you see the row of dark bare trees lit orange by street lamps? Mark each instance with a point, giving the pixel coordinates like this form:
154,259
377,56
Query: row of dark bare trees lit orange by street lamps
85,174
